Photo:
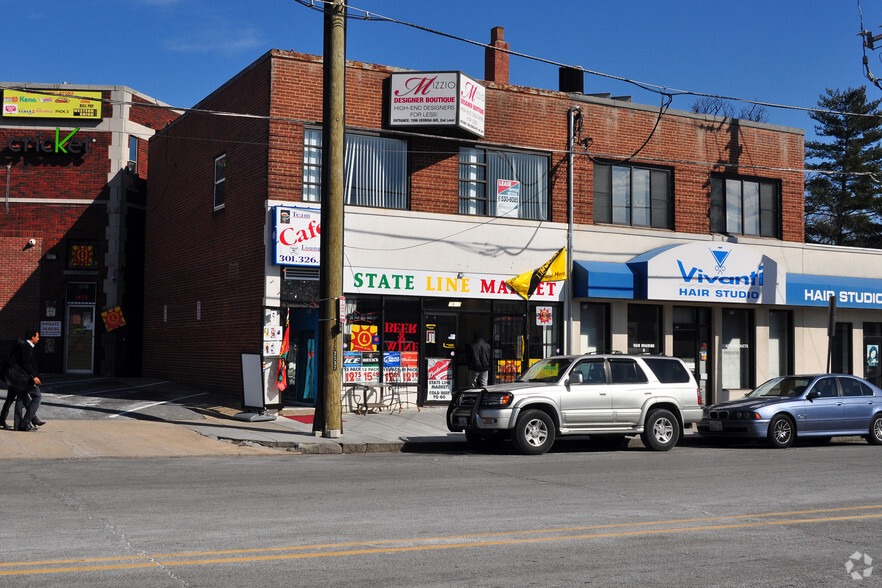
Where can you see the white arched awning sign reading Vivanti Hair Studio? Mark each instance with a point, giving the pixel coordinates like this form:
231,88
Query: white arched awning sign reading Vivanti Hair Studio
709,272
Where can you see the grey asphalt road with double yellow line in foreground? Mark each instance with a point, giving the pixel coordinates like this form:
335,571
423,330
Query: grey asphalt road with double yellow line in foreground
694,516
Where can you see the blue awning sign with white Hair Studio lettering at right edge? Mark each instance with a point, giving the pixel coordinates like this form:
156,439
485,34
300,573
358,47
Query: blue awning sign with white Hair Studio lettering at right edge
816,290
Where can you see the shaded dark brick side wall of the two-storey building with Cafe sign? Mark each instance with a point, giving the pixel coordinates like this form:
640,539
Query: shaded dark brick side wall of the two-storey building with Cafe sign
196,255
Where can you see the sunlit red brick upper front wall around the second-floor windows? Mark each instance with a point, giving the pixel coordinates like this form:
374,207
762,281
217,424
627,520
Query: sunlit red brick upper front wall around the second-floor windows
537,119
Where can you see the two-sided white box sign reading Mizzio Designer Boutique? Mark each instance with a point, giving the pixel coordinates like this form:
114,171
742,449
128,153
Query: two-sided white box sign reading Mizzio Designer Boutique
437,99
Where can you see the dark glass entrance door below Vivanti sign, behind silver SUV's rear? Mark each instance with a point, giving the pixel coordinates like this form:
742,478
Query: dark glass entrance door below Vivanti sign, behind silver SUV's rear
692,345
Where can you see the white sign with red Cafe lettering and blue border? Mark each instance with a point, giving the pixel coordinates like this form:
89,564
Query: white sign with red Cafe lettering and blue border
298,236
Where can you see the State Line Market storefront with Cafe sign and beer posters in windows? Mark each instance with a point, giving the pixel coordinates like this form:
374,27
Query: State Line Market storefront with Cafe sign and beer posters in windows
402,325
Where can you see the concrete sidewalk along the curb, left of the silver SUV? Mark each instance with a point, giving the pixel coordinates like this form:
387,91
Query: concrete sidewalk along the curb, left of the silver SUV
220,433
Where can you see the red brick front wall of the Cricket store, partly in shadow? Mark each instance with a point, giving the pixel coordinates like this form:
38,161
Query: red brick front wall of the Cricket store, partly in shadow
30,283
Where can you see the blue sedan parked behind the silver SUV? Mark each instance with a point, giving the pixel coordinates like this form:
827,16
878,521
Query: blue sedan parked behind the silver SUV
782,409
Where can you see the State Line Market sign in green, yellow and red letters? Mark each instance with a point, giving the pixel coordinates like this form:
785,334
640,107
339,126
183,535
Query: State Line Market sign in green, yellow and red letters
441,284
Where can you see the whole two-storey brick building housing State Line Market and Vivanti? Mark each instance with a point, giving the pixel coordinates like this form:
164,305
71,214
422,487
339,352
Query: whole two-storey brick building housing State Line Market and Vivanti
691,245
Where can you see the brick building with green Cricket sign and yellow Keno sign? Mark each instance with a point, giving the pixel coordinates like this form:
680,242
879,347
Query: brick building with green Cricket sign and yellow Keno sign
73,163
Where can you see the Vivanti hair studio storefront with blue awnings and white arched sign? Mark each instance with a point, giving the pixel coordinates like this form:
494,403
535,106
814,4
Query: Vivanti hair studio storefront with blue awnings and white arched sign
734,313
